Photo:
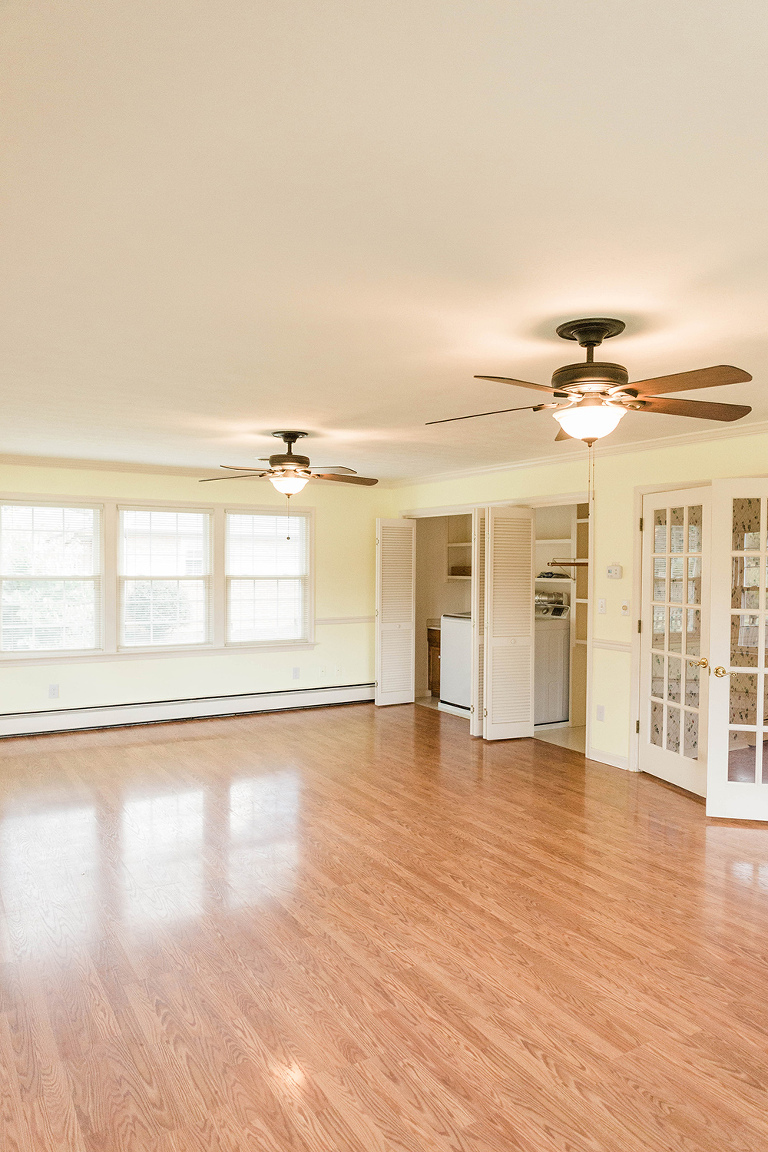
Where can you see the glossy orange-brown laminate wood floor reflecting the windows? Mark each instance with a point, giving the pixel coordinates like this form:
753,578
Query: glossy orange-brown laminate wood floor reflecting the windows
358,930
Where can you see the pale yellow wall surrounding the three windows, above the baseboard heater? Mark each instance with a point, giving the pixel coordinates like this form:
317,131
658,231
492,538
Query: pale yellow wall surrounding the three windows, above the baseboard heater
345,587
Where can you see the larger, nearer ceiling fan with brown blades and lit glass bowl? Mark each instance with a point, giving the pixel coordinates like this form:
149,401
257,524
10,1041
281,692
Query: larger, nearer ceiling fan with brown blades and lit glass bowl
598,395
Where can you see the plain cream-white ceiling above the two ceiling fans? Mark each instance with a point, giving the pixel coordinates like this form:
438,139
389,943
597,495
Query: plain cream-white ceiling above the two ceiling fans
219,219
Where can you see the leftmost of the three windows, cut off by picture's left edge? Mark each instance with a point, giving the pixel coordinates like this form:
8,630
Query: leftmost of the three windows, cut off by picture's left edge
50,579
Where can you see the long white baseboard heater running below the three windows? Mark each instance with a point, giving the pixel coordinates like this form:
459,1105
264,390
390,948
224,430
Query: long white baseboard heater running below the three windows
118,716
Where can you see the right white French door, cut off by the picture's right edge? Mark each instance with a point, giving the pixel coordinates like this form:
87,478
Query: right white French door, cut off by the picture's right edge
737,777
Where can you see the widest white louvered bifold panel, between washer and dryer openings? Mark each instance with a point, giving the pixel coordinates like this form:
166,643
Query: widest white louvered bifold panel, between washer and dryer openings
510,625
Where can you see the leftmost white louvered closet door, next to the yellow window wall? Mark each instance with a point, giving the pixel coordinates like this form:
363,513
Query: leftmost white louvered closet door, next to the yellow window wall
396,611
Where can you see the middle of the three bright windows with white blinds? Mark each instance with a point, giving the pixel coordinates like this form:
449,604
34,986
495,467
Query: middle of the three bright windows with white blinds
165,578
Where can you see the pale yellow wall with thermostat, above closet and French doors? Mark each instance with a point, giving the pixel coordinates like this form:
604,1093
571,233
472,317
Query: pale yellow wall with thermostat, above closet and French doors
617,480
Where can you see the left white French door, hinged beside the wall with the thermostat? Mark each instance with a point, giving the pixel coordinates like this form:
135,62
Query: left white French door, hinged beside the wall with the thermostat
675,638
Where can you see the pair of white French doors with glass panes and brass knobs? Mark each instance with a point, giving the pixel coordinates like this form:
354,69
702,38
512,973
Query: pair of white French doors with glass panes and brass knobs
704,683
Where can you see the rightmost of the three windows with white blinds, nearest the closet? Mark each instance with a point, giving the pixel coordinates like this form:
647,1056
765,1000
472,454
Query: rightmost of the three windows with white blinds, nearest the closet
269,594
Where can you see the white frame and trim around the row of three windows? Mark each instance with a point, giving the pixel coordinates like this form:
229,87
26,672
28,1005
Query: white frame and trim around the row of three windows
110,603
